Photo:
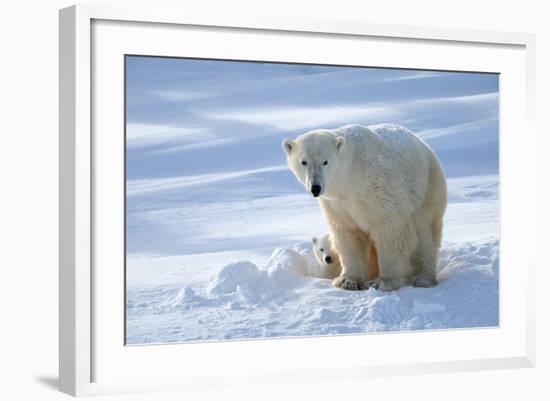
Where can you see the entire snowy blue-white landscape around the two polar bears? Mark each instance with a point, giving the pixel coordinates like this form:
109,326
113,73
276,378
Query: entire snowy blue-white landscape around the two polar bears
218,229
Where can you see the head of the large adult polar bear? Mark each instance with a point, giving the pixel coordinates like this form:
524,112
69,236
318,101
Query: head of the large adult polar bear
314,157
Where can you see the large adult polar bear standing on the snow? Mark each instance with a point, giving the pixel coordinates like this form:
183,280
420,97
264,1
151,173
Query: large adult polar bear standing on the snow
382,184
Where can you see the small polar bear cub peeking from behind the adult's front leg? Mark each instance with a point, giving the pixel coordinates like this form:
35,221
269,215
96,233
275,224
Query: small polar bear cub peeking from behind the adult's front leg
328,258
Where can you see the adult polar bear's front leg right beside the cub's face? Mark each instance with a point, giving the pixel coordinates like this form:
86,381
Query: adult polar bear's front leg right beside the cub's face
350,249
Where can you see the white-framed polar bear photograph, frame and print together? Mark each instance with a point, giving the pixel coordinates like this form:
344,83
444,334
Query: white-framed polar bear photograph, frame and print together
242,191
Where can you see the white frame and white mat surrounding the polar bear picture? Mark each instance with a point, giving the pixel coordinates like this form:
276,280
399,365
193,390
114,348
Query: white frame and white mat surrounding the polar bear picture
87,335
